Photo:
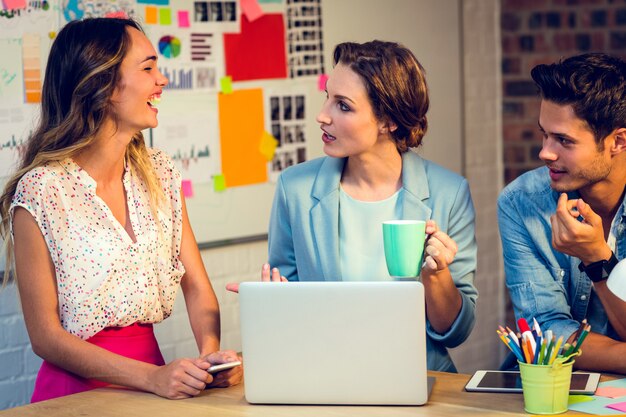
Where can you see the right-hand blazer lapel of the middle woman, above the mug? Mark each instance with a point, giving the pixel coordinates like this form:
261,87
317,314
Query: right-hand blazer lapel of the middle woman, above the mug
416,190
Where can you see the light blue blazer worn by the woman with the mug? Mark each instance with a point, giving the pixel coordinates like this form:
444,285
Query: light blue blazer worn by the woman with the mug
304,231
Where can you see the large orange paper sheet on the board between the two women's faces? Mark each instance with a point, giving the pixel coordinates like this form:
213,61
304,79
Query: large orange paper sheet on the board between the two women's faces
242,163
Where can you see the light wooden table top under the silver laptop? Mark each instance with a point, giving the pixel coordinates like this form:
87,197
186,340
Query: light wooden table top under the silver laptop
448,398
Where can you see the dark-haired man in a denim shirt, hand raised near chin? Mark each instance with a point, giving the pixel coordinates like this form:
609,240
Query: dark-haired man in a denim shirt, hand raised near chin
563,226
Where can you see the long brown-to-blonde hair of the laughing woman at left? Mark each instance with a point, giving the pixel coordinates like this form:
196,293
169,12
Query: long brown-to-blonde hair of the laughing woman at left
81,75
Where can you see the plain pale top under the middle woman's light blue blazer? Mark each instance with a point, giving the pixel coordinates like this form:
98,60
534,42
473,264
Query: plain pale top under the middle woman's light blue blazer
361,247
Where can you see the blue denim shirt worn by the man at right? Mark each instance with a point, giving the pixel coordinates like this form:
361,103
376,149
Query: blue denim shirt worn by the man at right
544,283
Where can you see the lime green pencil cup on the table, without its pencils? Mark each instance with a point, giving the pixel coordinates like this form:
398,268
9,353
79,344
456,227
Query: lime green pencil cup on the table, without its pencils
546,387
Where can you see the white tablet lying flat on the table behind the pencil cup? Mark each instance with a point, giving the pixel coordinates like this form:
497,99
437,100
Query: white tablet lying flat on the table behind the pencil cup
510,381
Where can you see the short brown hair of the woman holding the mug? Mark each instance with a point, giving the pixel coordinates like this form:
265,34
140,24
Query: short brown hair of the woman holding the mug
395,84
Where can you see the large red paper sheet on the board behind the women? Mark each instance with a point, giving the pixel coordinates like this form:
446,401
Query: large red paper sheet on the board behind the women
258,52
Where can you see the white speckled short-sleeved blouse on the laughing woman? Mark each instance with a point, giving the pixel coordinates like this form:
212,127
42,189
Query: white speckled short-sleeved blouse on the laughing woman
103,278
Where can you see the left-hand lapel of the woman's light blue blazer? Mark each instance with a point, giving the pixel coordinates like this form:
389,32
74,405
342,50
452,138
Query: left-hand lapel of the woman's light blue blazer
325,217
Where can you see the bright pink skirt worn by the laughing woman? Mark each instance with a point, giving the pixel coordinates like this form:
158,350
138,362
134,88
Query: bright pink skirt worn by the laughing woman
136,341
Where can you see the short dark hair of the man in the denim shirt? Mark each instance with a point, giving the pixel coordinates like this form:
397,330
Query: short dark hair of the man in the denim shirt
593,84
